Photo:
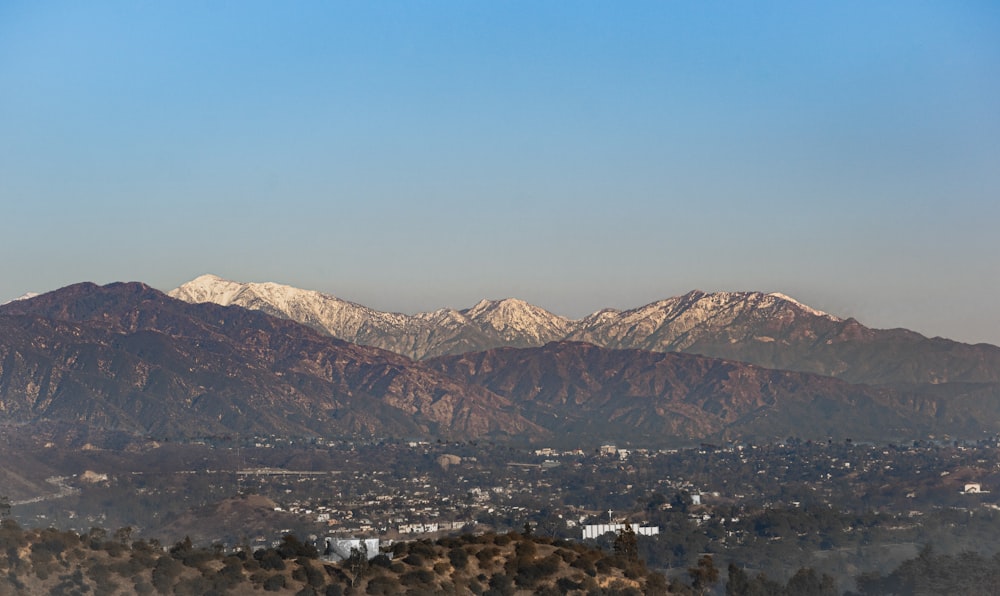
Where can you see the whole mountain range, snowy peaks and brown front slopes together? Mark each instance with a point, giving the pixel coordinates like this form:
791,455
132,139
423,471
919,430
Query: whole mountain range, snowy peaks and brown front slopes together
128,357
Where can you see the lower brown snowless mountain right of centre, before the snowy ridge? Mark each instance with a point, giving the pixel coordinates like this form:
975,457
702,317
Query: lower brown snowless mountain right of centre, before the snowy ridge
578,389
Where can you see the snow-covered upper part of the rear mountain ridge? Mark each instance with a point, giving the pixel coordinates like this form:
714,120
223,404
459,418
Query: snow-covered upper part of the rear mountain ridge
666,325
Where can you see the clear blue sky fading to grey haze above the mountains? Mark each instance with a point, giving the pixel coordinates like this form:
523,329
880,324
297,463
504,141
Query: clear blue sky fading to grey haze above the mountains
578,155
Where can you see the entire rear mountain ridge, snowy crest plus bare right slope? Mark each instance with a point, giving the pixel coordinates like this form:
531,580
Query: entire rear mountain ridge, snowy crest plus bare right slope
770,330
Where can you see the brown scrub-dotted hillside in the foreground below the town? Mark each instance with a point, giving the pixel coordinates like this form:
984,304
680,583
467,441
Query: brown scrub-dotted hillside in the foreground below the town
100,562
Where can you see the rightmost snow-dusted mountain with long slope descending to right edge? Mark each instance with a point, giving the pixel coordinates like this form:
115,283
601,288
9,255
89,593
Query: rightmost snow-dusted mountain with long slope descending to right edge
775,331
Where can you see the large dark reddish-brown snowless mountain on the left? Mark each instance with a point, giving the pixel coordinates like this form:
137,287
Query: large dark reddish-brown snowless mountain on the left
126,356
